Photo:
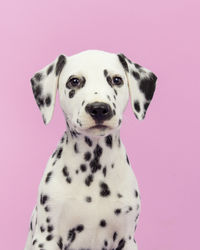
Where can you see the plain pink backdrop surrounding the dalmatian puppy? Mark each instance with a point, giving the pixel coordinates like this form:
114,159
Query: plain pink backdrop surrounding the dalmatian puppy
163,149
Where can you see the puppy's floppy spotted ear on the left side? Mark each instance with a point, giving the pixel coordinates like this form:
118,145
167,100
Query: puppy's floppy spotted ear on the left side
44,85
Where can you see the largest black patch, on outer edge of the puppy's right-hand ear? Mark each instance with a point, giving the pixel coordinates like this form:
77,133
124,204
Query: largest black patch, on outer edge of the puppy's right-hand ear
147,86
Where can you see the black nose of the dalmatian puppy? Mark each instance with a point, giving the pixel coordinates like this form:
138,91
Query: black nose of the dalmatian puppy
99,111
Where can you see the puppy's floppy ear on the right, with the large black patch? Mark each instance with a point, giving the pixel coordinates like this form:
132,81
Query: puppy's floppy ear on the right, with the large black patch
142,84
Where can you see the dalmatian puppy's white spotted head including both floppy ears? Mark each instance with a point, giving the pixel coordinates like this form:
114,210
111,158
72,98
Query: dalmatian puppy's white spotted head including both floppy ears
94,88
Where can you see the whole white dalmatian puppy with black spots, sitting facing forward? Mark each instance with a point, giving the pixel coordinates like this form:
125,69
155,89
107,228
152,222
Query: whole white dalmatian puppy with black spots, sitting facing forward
88,198
